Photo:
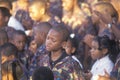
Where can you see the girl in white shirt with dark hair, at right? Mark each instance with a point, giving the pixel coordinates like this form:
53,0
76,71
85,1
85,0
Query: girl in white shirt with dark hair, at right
104,52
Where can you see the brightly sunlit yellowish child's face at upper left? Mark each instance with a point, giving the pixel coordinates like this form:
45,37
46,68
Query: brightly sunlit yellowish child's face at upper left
35,12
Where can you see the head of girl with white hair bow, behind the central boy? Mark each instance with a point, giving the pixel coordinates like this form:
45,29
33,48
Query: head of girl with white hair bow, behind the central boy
72,44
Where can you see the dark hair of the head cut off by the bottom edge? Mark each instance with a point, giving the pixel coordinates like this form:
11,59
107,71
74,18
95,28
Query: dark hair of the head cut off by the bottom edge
42,73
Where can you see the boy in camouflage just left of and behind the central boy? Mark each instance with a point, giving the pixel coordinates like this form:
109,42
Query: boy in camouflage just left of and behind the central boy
40,33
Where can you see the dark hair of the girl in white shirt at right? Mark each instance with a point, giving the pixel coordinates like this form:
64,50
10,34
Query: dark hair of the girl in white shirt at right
111,45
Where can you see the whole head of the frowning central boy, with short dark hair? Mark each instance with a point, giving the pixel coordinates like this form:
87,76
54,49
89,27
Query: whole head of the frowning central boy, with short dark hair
56,38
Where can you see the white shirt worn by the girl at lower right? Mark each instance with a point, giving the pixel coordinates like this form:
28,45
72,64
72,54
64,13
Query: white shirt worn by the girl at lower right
100,66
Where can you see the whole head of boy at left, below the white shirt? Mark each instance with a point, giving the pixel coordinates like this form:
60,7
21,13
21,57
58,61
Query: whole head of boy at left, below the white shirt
19,39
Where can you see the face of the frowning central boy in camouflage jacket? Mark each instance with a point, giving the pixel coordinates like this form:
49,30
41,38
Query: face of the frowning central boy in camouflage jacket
54,41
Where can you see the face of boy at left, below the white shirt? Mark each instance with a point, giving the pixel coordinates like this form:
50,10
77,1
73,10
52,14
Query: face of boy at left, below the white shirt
19,42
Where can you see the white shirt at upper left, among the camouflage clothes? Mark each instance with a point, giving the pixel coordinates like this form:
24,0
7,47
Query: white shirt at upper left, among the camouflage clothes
14,23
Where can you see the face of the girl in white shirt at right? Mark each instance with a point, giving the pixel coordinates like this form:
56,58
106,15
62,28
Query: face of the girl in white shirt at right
95,52
